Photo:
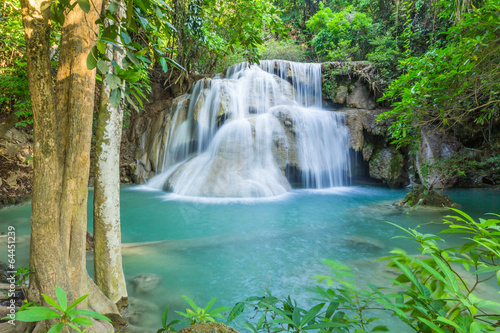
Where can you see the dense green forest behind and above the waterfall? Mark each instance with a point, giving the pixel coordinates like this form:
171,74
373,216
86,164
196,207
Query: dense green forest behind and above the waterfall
436,61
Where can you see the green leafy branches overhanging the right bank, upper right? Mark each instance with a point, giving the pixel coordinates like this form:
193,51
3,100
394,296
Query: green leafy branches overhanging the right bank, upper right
453,85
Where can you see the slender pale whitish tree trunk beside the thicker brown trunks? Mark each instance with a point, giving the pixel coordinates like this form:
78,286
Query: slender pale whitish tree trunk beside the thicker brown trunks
108,270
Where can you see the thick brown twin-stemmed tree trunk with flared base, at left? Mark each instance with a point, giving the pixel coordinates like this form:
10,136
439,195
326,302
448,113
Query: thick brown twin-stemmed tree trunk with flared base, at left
61,156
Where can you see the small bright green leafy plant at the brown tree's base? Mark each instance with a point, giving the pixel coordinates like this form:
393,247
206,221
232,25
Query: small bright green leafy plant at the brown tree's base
67,315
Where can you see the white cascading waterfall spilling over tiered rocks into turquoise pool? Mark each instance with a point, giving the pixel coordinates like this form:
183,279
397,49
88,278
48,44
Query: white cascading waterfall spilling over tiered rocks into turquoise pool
251,134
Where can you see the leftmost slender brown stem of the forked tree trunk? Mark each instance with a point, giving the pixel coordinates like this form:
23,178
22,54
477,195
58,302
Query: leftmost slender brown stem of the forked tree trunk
45,213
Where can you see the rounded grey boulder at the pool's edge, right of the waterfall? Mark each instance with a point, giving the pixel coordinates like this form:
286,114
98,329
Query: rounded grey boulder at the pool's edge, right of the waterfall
387,165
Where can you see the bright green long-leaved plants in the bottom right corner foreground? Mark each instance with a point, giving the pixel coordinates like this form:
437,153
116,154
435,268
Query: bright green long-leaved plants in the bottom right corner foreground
435,295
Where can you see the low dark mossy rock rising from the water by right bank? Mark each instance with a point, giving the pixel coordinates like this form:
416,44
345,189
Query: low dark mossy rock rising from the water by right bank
421,196
